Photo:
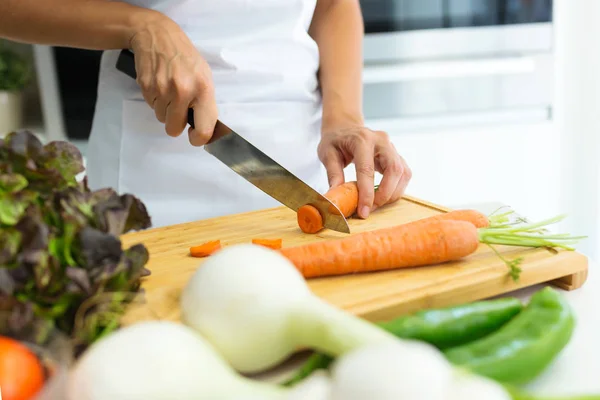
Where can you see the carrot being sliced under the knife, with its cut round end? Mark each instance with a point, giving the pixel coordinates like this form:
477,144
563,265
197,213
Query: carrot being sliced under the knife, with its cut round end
344,196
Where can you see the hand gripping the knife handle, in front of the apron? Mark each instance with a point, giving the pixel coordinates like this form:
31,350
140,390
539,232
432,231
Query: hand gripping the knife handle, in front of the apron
173,77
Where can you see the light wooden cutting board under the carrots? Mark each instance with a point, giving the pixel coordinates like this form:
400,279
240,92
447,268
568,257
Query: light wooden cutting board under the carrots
374,296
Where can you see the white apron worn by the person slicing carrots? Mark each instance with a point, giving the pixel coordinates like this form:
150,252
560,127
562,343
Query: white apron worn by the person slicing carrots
264,66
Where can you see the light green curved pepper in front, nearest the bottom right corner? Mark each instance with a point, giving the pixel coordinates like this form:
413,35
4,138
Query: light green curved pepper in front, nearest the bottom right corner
525,346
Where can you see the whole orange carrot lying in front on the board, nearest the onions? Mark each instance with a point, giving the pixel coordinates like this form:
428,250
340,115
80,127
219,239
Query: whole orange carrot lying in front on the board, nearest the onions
418,243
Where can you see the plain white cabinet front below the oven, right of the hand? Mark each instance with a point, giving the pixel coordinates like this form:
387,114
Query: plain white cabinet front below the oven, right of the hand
518,165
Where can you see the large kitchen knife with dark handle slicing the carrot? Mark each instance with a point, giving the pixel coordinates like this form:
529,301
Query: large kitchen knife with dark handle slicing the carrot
256,167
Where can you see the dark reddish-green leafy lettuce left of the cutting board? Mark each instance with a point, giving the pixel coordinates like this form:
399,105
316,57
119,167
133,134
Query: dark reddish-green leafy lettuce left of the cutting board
61,260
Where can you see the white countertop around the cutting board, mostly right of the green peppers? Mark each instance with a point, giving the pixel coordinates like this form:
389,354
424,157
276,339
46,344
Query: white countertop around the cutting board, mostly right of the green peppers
575,370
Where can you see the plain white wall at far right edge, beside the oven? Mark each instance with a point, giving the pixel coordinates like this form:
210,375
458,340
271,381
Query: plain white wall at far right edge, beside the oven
577,112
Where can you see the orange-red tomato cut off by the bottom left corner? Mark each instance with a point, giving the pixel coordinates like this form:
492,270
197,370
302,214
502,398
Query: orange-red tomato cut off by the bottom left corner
21,372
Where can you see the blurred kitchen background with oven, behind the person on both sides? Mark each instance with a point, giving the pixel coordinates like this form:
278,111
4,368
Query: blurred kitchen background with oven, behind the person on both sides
488,100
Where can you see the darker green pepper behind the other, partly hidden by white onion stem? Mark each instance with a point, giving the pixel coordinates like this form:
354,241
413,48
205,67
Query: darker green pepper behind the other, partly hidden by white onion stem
443,328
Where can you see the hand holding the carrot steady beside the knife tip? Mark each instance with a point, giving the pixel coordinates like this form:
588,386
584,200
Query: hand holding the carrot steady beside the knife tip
370,151
